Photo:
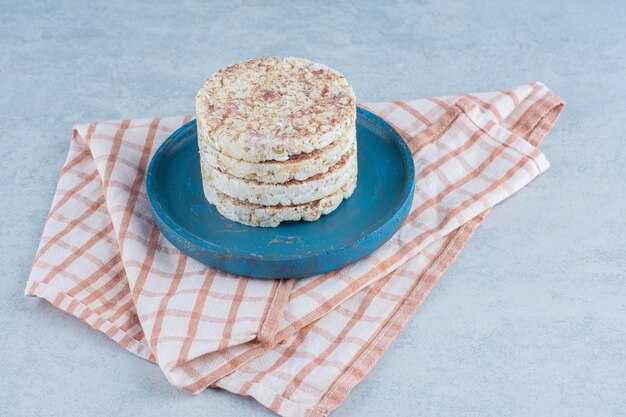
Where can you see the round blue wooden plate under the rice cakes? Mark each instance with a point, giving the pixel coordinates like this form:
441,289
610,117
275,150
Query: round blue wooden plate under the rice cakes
362,223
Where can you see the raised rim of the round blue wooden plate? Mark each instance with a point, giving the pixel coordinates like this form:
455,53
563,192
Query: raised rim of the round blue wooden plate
161,215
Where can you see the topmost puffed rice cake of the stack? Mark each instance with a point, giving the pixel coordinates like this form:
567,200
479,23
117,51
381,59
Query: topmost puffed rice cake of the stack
272,108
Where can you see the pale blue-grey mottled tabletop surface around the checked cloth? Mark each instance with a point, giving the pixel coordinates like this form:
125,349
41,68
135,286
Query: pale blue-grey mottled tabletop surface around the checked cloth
530,320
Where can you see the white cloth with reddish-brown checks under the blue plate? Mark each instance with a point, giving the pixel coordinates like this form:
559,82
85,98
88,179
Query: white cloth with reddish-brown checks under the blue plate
296,346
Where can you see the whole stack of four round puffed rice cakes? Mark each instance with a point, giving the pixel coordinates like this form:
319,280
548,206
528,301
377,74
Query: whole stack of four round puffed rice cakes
277,140
